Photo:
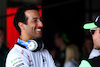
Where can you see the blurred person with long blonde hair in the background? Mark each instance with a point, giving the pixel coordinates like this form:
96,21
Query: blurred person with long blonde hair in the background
72,56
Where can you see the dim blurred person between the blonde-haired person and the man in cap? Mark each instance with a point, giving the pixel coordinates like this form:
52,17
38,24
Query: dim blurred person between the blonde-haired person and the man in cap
87,47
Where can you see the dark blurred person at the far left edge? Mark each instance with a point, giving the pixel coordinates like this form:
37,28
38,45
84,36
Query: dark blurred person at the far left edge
3,48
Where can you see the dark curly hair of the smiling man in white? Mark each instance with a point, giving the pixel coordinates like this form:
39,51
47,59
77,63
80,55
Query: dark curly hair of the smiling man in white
20,15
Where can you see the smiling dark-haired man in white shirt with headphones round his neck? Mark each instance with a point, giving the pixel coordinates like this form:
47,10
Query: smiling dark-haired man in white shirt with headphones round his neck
28,51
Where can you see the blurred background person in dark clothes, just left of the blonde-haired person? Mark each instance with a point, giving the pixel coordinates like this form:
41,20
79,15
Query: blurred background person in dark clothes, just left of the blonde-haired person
61,42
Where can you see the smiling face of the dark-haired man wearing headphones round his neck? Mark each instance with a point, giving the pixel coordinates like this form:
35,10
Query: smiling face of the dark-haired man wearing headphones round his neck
34,26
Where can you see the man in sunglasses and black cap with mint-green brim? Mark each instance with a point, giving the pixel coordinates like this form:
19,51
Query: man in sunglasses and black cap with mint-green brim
95,31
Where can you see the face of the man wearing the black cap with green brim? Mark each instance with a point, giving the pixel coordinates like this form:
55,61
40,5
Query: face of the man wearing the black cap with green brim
96,38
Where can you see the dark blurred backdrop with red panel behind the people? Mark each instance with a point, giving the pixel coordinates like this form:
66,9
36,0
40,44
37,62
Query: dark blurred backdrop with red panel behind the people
66,16
